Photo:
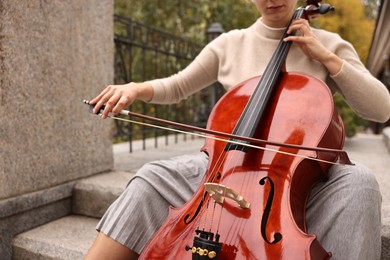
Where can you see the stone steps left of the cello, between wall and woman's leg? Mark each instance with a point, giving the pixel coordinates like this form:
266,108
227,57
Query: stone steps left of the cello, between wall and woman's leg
71,236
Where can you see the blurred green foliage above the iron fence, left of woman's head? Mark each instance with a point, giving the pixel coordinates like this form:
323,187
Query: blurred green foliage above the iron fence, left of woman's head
189,18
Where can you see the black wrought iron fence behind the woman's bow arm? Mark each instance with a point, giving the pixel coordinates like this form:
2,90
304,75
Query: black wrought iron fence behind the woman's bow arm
144,53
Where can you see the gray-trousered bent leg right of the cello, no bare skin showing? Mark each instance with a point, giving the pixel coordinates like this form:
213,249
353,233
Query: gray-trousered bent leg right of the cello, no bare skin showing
345,213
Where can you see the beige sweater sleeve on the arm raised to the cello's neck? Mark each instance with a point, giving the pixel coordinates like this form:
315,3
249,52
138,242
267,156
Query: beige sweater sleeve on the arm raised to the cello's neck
365,94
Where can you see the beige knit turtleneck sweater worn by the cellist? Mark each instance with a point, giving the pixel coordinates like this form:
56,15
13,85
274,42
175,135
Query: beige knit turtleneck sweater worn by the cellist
241,54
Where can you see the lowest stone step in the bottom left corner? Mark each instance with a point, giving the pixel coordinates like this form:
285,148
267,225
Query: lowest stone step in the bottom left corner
68,238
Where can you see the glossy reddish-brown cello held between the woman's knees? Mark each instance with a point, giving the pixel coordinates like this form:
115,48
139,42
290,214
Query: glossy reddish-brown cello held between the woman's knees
251,203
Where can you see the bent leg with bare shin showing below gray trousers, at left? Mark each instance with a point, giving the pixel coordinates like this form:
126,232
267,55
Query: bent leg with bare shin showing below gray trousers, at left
142,208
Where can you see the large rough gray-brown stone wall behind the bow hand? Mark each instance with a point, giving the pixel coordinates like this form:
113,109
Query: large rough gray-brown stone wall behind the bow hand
53,54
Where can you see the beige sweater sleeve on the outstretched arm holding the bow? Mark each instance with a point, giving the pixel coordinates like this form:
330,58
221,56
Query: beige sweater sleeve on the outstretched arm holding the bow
197,75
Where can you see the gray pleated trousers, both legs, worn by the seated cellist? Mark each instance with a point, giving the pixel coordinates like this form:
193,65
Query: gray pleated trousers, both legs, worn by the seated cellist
344,212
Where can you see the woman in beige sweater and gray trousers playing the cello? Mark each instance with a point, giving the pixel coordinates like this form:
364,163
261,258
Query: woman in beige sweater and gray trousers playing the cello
344,212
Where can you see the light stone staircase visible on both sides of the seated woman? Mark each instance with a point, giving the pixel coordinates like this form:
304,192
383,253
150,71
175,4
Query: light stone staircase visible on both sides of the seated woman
71,236
